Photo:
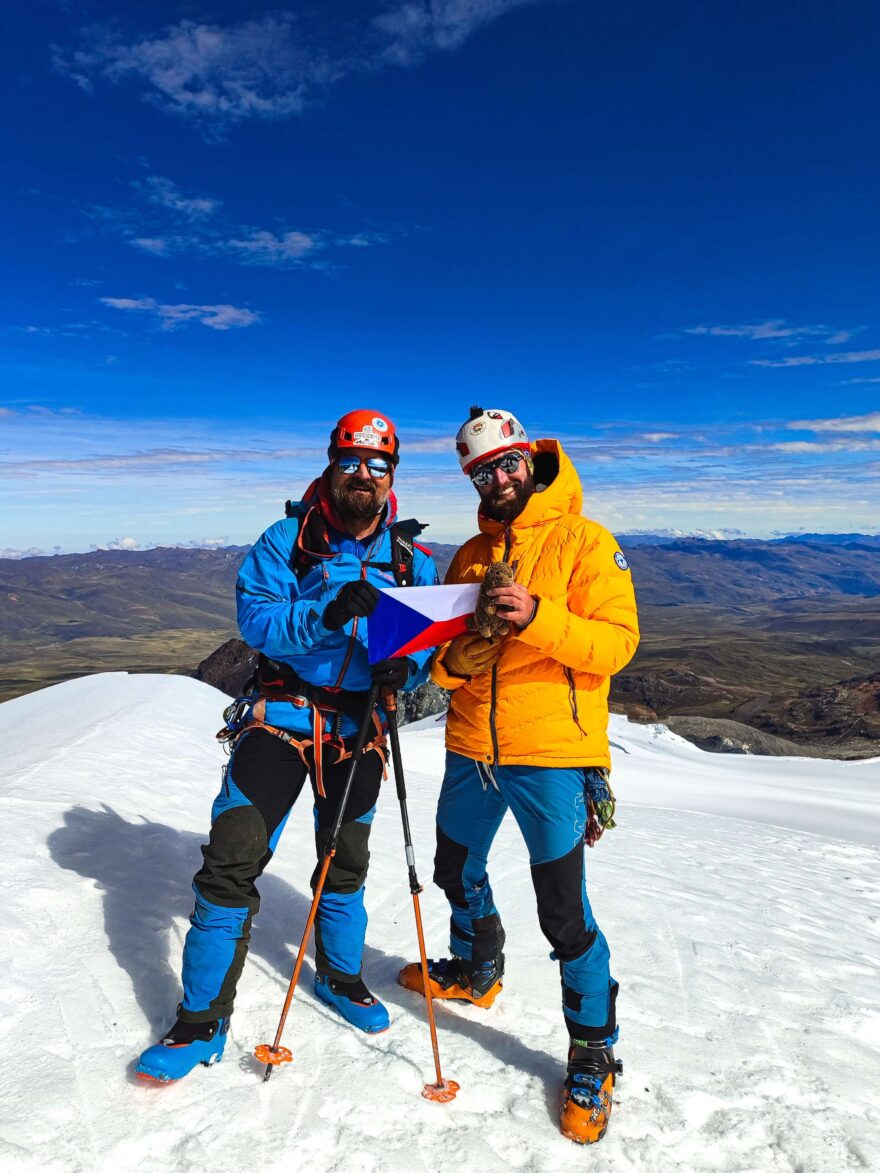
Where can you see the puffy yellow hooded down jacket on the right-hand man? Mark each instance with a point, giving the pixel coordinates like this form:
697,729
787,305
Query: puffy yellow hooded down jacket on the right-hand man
545,703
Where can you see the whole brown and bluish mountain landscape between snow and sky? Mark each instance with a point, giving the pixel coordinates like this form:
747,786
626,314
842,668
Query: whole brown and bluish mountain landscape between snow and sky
782,636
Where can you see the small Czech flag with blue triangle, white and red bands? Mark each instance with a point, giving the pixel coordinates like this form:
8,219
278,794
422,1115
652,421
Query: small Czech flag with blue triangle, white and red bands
411,619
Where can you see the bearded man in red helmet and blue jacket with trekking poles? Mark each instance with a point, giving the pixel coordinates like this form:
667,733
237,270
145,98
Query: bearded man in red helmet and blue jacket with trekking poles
306,594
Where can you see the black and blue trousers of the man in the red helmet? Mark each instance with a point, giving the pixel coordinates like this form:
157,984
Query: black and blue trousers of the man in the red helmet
261,784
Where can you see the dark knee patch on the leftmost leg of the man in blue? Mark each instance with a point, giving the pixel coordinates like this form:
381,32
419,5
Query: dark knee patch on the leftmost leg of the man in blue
234,858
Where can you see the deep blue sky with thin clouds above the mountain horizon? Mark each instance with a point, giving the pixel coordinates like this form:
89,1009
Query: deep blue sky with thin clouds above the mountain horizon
648,229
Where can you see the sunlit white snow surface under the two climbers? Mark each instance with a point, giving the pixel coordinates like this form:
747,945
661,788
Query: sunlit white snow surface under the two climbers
741,898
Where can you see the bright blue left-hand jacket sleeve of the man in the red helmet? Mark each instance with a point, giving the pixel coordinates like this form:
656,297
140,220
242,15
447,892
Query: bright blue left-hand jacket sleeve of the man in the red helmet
272,616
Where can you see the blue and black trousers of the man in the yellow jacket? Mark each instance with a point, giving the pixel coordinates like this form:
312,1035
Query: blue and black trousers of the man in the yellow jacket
551,809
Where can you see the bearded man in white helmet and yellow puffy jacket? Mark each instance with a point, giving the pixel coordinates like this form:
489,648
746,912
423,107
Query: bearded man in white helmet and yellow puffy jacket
527,731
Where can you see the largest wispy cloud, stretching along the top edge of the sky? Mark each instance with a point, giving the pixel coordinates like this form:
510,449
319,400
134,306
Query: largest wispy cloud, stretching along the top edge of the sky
270,66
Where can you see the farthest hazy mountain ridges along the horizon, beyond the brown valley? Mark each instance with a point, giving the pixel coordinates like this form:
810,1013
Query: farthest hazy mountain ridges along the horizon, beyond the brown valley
119,593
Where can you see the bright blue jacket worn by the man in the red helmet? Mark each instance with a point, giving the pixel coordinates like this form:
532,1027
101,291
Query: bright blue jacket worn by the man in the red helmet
281,616
